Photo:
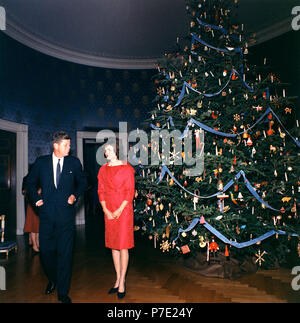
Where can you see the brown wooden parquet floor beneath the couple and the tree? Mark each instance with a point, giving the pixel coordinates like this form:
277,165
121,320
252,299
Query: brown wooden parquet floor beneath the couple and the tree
153,277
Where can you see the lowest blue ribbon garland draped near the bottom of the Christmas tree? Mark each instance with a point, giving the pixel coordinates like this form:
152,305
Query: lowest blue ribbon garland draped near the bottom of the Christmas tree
238,245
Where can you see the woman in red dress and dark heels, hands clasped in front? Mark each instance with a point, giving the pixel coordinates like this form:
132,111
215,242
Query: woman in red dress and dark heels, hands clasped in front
116,191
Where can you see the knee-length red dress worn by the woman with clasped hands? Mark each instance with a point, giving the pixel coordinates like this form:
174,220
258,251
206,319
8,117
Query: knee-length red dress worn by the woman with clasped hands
115,185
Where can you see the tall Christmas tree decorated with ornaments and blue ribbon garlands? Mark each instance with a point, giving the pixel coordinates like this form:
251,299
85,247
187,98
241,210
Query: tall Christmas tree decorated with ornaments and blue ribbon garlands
237,121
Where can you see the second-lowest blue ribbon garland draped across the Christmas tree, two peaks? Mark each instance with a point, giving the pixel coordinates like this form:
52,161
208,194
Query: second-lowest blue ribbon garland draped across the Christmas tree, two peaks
225,188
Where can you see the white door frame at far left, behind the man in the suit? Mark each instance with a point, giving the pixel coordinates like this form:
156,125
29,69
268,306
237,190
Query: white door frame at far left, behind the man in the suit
21,131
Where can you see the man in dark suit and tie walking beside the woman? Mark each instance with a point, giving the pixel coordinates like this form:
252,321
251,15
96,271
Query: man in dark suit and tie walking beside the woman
62,181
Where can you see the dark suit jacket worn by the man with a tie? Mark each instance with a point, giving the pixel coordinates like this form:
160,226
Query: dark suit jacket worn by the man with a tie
72,181
